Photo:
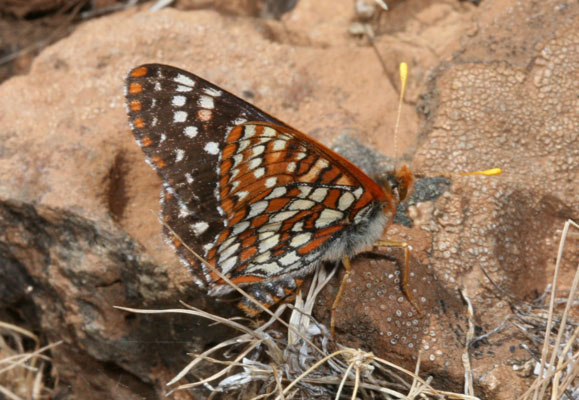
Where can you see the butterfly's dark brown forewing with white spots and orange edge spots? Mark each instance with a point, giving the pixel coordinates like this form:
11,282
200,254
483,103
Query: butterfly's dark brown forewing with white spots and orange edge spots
181,123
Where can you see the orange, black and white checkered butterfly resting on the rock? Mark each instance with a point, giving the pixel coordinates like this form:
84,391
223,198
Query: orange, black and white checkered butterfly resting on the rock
262,202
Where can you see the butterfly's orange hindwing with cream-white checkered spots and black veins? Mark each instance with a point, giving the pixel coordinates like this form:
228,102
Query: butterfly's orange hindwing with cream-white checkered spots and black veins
289,203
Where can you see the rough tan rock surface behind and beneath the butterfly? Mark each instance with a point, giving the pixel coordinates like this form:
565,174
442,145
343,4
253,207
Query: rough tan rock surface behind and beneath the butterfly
78,235
